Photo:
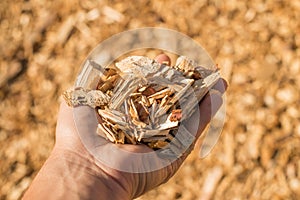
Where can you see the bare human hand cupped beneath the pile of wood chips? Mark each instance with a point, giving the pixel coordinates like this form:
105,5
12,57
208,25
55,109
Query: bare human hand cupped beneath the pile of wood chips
90,177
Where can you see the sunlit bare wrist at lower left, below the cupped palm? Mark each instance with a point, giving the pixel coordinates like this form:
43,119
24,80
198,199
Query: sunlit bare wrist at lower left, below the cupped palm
69,175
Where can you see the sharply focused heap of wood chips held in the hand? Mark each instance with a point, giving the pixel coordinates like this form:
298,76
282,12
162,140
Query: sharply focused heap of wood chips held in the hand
139,100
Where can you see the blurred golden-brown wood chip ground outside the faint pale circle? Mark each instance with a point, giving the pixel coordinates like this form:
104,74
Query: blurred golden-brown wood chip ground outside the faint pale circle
256,44
